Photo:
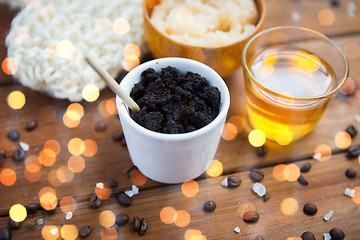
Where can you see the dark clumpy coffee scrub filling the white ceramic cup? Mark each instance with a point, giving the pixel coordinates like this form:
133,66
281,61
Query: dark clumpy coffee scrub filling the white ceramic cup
172,102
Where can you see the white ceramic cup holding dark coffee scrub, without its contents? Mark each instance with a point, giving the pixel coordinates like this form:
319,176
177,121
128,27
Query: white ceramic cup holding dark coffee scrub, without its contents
173,158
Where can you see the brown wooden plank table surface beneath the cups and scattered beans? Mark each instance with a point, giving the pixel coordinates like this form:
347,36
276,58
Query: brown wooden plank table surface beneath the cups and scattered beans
281,217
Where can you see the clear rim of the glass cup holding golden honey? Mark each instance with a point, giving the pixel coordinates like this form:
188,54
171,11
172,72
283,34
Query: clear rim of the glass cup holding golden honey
319,97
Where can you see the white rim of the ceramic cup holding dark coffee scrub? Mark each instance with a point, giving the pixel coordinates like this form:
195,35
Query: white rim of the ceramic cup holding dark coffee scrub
224,106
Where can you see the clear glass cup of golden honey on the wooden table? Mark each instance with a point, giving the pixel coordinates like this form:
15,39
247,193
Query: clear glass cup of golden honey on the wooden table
291,76
